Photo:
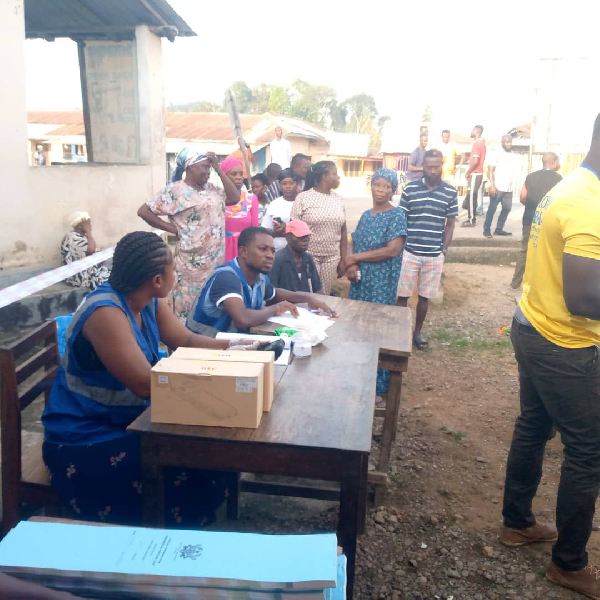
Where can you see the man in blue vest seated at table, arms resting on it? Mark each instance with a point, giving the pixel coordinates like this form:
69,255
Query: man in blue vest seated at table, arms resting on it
233,299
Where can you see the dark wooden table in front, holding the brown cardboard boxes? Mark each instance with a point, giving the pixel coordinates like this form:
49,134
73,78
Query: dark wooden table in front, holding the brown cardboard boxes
320,427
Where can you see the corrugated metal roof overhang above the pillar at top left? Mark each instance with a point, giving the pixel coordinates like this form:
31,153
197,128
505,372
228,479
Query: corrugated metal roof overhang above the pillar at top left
86,19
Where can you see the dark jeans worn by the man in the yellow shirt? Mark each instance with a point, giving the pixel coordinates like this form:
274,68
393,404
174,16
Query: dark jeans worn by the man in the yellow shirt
560,388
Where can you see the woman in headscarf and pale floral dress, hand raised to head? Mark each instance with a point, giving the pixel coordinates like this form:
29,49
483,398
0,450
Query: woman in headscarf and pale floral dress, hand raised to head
196,212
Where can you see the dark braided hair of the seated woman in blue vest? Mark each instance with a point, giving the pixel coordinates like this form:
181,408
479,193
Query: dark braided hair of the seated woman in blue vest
138,257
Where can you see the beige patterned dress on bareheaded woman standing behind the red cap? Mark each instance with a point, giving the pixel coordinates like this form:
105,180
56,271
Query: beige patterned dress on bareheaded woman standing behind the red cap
325,214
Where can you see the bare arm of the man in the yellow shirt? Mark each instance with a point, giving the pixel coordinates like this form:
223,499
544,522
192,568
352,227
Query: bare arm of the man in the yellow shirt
581,286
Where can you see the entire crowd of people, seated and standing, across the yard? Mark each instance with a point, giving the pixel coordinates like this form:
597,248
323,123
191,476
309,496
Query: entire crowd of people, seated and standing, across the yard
250,250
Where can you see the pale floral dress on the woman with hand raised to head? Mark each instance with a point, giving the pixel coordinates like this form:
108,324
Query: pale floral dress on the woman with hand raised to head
200,221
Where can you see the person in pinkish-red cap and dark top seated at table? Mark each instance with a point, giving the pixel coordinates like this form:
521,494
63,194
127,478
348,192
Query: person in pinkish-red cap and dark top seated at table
294,268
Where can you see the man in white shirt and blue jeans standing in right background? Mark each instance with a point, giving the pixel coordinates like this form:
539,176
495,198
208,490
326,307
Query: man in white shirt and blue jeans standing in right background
501,173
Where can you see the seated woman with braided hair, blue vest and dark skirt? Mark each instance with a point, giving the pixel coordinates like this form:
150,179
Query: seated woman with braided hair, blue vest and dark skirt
103,384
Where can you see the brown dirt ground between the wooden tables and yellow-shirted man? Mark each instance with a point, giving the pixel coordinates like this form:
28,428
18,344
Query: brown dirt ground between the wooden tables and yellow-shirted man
436,536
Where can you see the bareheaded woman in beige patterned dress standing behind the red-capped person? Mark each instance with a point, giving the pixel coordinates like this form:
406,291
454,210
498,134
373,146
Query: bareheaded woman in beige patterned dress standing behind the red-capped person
324,212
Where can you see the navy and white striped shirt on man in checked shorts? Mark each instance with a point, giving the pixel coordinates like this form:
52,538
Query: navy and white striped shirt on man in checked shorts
426,214
